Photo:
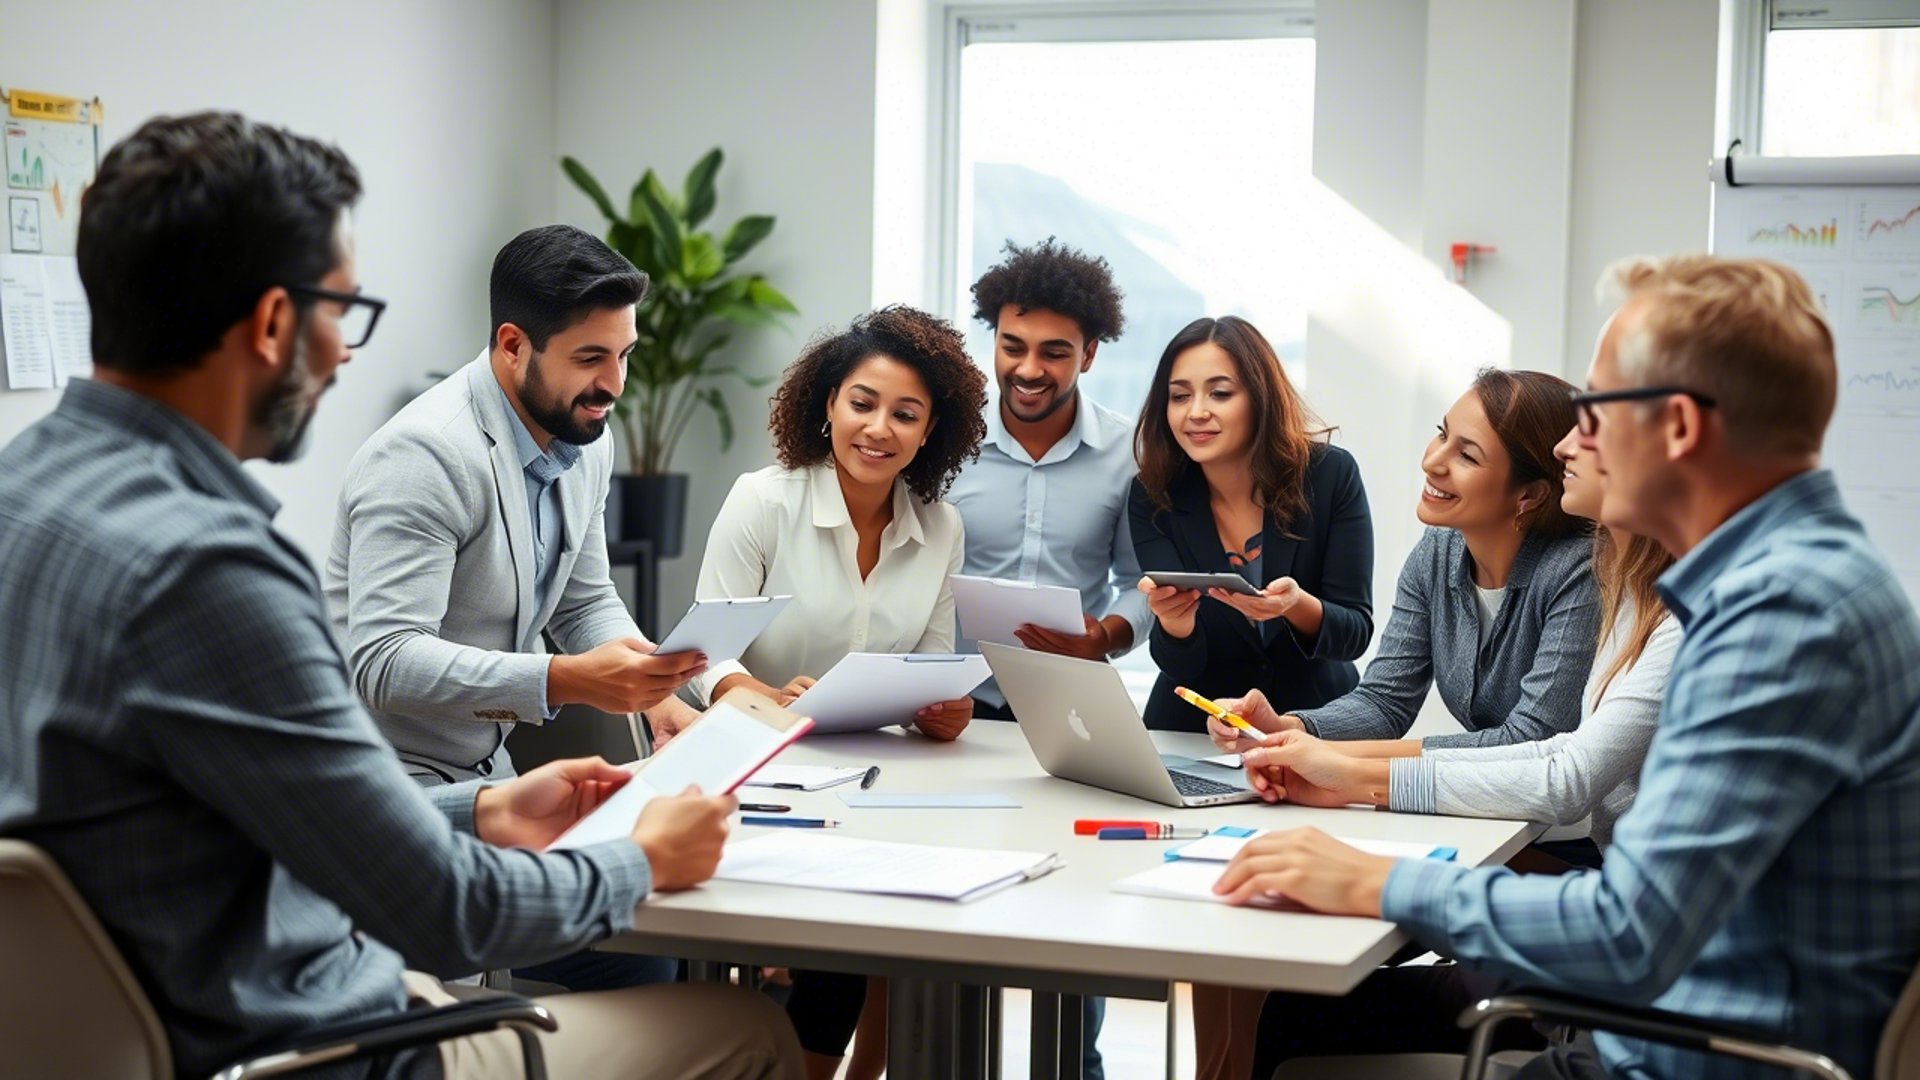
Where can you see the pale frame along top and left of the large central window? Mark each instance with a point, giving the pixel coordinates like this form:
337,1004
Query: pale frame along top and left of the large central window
978,22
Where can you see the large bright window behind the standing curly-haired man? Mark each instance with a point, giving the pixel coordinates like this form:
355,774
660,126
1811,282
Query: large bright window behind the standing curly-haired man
1149,139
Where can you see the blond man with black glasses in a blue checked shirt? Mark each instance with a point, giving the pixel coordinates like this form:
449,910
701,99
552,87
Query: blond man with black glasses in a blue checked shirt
1769,873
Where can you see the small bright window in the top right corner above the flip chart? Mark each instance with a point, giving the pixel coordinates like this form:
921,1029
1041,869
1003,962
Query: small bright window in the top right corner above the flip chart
1833,80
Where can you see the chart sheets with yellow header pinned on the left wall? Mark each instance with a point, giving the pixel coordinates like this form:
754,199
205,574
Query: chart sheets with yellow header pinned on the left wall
53,151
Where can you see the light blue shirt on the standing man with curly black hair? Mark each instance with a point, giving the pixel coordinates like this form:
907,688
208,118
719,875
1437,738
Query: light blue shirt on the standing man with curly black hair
1061,520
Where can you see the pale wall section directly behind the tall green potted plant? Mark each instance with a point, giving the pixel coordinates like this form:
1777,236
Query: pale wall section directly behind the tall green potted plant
788,93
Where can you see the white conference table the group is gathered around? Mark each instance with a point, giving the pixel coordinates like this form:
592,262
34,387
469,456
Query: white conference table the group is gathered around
1061,935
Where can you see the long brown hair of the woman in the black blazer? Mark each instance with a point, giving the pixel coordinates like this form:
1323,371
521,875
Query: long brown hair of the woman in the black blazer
1285,430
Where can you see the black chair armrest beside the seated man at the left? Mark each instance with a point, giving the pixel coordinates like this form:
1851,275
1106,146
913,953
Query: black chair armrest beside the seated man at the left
416,1027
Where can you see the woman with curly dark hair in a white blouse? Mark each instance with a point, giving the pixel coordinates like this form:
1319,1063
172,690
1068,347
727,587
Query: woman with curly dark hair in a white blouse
871,428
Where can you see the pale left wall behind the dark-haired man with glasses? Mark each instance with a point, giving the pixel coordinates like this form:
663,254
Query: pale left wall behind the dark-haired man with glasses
446,109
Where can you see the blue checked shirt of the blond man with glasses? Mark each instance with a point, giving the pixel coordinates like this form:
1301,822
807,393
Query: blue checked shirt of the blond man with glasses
1769,873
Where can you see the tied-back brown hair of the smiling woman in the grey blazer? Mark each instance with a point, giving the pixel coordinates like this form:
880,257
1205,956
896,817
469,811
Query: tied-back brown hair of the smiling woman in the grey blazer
1531,412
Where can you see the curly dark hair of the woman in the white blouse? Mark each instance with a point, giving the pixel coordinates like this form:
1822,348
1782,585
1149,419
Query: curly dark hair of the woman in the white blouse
907,335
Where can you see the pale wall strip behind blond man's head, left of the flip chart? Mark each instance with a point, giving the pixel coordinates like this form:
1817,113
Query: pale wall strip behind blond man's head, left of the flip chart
1644,118
